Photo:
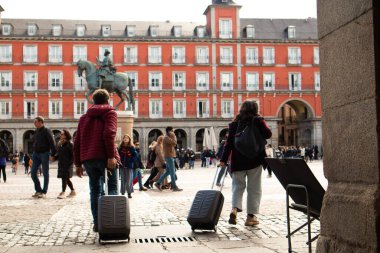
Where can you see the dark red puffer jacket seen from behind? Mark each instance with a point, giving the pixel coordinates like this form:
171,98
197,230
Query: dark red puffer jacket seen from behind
95,136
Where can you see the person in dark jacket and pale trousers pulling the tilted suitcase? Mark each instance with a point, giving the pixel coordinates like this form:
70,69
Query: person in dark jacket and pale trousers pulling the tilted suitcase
243,168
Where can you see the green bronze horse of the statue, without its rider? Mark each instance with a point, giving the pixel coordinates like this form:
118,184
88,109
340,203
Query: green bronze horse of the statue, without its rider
119,84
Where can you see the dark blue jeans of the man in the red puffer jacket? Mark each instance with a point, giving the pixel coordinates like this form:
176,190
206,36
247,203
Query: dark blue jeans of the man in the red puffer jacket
95,170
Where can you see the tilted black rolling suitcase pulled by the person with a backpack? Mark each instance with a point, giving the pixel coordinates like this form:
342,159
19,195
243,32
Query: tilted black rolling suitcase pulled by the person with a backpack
206,208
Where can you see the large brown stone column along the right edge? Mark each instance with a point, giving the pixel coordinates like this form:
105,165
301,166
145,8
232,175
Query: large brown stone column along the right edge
350,74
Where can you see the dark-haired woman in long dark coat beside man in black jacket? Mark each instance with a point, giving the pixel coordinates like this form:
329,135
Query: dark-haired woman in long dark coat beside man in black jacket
65,163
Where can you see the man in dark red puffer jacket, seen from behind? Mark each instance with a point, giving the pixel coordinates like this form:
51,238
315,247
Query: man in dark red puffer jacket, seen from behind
94,148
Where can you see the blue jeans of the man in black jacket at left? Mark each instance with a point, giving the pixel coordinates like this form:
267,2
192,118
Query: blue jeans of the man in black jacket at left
38,160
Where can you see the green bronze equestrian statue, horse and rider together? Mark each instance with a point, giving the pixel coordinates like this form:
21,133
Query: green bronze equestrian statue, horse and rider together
107,78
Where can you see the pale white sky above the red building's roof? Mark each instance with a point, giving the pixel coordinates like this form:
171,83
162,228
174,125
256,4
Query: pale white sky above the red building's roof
150,10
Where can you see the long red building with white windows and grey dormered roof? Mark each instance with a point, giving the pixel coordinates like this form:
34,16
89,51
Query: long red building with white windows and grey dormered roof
191,76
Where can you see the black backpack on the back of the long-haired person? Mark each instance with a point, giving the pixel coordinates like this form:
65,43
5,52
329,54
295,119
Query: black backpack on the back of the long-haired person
249,141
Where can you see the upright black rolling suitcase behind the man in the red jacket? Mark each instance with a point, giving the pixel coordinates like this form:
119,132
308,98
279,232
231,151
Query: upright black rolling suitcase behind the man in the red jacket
114,222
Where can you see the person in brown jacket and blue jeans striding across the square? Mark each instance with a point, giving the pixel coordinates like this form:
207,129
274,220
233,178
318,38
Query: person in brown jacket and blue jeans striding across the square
169,143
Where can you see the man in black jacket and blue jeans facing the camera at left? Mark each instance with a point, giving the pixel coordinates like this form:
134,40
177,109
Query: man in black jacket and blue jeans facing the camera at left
43,147
